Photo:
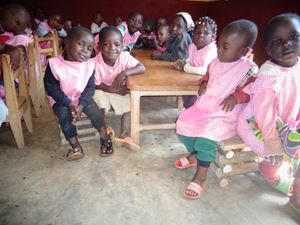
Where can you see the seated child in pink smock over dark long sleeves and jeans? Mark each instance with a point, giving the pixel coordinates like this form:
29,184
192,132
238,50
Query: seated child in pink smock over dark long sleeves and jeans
70,84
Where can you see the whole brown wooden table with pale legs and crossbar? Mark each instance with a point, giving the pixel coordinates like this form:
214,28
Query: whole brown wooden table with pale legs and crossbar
160,79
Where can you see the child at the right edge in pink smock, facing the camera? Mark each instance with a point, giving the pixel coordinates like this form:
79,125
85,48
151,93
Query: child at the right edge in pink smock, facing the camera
275,94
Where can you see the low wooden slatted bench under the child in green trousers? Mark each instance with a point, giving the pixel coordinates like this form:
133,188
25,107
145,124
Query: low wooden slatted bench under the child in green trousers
234,158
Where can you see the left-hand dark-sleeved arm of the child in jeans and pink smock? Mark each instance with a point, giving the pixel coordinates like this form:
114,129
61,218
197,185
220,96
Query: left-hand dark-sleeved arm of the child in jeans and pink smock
52,88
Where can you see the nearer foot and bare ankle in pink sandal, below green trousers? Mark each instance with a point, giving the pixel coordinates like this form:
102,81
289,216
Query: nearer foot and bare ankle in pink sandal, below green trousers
195,188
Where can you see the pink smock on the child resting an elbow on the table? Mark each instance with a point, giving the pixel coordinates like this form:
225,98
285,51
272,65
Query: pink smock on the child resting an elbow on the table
107,74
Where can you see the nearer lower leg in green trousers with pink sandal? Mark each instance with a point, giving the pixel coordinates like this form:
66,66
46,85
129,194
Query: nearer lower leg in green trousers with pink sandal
206,153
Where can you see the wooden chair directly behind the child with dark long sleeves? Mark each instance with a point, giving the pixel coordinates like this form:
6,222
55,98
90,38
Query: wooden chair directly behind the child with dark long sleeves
36,83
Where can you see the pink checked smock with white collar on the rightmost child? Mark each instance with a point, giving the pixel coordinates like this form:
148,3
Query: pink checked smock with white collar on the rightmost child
275,93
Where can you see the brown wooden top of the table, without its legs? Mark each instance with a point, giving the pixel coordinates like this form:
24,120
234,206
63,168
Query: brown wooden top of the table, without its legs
161,76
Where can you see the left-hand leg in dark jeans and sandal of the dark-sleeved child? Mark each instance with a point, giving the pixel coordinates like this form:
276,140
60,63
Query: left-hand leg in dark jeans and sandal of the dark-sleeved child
69,131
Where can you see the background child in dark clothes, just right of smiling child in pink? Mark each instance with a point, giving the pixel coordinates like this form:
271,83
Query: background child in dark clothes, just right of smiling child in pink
146,39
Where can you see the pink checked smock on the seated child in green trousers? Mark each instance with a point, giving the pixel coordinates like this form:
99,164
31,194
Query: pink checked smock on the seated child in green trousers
206,118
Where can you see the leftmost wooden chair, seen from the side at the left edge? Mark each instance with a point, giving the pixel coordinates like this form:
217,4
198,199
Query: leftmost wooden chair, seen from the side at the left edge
17,100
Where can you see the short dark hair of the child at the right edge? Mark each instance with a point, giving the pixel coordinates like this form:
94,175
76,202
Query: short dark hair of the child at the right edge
274,22
